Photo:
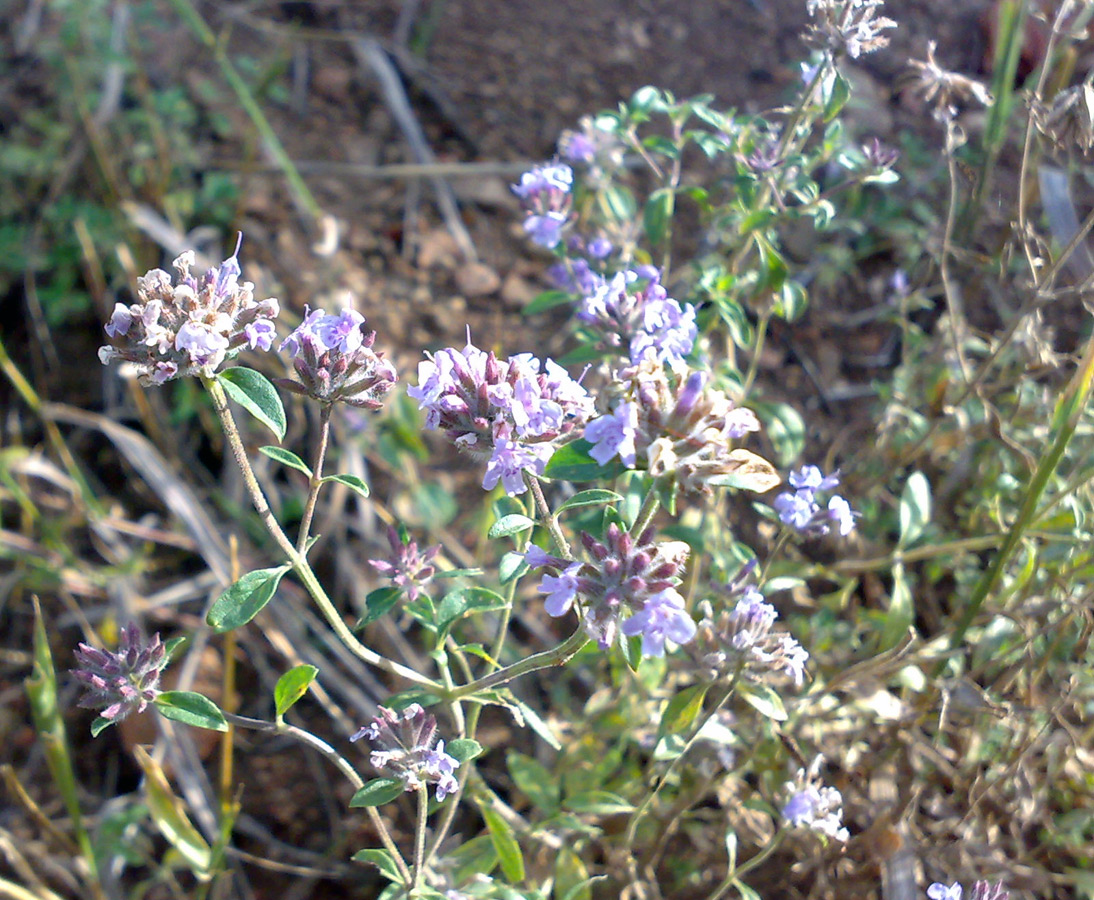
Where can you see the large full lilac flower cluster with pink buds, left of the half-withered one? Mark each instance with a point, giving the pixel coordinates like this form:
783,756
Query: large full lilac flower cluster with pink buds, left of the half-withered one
508,413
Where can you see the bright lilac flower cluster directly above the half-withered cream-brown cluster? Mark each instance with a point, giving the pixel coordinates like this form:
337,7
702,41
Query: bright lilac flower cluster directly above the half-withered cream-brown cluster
634,315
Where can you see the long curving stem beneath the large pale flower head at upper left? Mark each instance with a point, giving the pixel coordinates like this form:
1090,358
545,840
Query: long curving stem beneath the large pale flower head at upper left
300,565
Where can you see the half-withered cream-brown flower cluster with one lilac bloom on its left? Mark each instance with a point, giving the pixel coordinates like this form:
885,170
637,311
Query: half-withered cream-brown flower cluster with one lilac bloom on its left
672,424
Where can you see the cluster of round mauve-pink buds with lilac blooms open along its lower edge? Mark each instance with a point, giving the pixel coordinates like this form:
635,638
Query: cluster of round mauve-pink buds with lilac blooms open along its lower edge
626,576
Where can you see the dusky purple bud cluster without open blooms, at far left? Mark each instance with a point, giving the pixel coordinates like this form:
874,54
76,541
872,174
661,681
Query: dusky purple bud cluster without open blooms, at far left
124,682
